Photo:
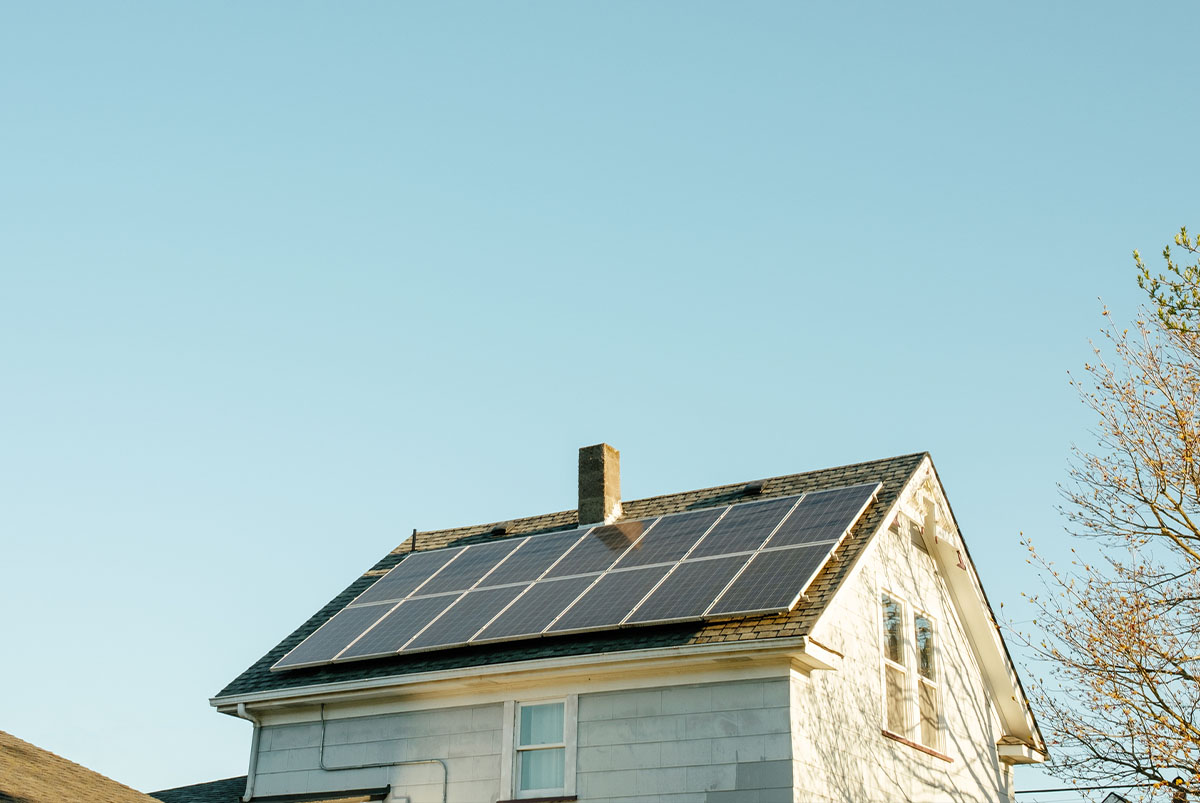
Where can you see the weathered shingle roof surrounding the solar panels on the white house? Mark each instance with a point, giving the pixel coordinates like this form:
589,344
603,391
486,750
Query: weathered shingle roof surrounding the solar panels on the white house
892,472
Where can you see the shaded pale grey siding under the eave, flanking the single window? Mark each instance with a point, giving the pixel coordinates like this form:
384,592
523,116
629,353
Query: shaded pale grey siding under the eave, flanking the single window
706,744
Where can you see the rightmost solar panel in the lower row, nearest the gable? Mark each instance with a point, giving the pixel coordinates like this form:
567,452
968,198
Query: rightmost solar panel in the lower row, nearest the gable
773,580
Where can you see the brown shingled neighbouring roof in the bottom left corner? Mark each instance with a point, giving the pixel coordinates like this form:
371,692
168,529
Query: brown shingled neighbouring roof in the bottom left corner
31,775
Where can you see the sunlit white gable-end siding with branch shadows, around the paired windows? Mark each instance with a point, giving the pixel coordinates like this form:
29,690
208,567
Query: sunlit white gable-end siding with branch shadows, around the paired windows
838,717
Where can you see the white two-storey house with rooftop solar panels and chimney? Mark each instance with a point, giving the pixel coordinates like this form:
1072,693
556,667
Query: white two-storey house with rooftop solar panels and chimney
818,637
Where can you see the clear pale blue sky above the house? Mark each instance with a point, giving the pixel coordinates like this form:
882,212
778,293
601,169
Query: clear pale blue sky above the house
281,281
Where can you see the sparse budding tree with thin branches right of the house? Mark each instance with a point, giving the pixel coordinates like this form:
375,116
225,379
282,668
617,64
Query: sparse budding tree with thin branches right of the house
1119,631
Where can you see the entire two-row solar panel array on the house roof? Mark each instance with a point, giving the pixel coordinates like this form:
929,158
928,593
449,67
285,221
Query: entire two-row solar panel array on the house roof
754,558
